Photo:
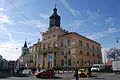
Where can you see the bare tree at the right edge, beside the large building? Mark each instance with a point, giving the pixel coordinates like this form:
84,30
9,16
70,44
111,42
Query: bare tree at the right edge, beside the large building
113,54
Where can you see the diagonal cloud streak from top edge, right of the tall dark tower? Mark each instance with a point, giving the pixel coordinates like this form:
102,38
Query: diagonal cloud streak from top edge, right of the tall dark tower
73,11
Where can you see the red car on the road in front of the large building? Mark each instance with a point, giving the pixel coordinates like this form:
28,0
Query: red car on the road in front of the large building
45,73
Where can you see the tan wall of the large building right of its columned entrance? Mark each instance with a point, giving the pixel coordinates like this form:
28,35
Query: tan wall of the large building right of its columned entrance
80,55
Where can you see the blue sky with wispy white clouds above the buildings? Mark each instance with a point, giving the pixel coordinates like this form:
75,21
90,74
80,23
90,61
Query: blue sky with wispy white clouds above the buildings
98,20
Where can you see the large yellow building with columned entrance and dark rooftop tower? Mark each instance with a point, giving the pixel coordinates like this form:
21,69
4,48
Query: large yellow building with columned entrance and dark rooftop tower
60,48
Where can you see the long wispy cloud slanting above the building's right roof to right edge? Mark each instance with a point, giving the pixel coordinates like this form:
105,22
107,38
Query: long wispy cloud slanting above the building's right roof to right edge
104,33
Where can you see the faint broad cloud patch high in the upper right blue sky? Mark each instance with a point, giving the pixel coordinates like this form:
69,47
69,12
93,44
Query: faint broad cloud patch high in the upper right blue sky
94,15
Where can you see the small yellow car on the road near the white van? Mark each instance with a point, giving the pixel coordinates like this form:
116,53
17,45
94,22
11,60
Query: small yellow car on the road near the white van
84,73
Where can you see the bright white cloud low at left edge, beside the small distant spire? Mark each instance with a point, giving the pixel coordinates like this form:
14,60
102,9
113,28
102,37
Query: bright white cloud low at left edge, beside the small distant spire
8,49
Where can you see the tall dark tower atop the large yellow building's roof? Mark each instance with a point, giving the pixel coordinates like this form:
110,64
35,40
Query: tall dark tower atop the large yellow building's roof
54,19
